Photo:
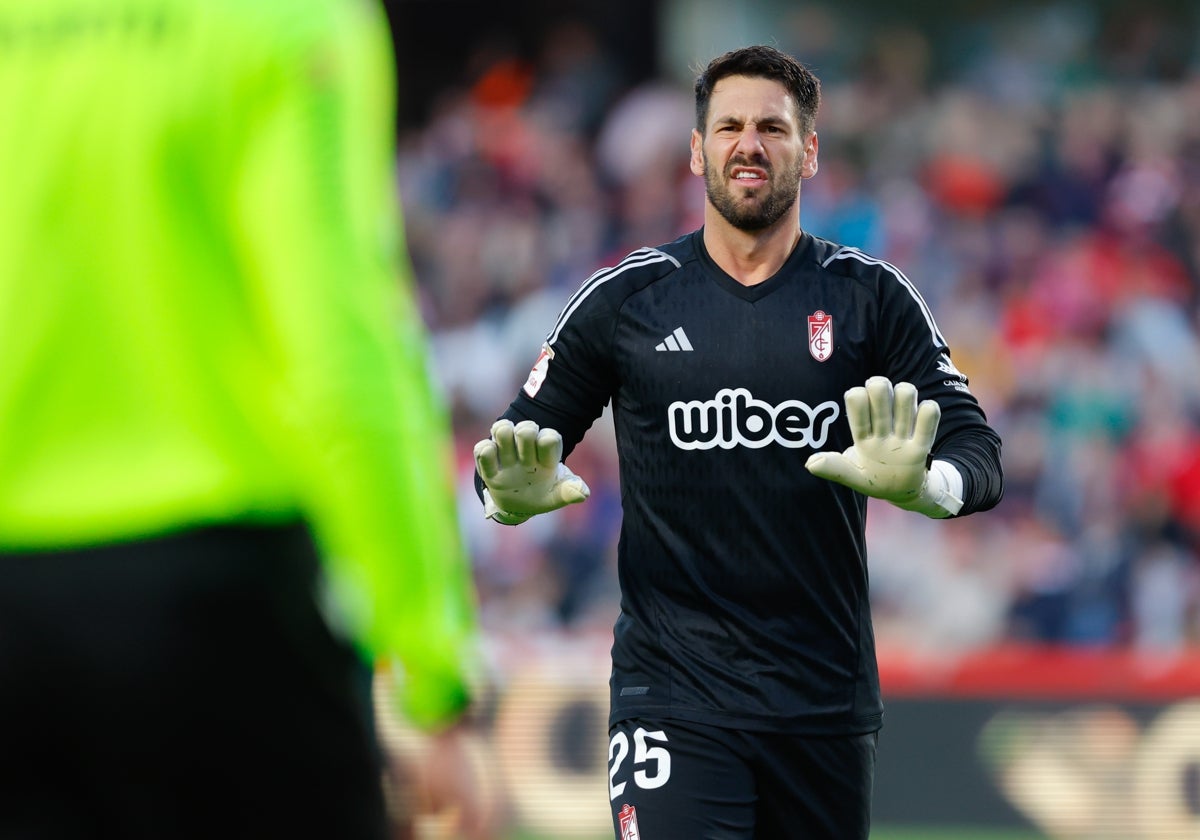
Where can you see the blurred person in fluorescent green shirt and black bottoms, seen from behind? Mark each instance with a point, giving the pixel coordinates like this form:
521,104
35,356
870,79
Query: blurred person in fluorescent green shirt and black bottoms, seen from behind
225,478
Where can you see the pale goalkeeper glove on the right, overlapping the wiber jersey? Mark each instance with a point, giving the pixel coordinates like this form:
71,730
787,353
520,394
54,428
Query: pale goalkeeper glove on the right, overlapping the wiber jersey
889,459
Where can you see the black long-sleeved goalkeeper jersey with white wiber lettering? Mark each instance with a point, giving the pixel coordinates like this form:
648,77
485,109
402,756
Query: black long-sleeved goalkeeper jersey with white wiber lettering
745,579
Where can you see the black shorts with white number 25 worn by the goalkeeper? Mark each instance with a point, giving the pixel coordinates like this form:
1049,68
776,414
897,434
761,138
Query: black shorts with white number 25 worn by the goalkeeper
677,781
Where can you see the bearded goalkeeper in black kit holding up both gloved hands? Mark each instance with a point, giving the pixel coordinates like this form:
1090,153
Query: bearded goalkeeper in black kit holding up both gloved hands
764,383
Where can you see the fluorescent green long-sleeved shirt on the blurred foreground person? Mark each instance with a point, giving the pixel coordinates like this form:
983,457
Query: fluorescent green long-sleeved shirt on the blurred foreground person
203,316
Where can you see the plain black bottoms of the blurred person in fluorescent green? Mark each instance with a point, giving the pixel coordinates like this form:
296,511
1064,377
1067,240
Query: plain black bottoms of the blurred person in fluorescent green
184,687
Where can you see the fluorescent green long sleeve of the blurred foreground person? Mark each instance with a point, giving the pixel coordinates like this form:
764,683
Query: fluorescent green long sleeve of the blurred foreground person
375,440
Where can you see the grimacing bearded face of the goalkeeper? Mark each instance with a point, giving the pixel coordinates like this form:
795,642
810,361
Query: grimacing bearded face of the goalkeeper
753,154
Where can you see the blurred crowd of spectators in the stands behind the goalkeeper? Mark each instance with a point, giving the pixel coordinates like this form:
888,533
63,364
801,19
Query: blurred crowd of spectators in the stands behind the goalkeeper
1037,176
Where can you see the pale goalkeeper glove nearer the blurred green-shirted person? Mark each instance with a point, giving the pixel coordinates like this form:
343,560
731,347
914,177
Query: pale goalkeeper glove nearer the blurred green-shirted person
524,472
